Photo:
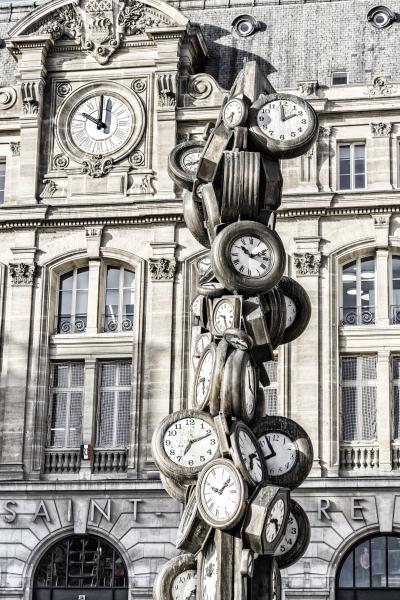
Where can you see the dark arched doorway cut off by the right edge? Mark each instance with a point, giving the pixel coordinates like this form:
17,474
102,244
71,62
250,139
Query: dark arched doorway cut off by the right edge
370,570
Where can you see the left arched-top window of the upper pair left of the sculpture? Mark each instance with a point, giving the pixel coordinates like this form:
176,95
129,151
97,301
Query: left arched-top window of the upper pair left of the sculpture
72,301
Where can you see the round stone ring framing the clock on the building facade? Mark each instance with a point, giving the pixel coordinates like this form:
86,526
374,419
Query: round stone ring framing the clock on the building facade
83,93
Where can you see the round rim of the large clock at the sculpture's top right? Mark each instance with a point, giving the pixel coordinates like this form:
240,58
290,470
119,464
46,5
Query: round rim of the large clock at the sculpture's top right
282,149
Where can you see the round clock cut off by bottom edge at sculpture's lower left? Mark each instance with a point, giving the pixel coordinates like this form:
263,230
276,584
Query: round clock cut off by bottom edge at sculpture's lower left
177,579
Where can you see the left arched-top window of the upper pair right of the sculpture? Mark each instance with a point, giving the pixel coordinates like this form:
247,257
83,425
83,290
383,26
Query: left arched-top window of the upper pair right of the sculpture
358,292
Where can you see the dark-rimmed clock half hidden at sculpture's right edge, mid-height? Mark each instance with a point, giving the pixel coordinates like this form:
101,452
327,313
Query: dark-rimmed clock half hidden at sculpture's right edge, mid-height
298,308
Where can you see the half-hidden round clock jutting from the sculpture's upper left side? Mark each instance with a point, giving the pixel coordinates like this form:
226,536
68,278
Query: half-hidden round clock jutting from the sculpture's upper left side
183,162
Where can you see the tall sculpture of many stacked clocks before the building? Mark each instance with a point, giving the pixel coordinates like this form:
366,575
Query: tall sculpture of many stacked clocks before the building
231,467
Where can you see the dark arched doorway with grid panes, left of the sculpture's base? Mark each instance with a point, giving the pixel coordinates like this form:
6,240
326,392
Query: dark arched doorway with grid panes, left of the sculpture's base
81,567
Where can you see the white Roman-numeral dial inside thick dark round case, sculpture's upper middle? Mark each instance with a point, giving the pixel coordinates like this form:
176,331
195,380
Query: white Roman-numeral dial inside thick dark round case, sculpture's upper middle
250,256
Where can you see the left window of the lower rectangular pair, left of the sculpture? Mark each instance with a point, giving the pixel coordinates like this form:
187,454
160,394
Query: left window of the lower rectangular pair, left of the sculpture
65,410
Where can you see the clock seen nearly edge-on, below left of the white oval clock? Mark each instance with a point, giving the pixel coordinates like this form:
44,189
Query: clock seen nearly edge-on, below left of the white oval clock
192,531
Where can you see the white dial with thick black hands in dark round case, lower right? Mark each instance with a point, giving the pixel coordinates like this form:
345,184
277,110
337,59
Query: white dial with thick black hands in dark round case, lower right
280,452
